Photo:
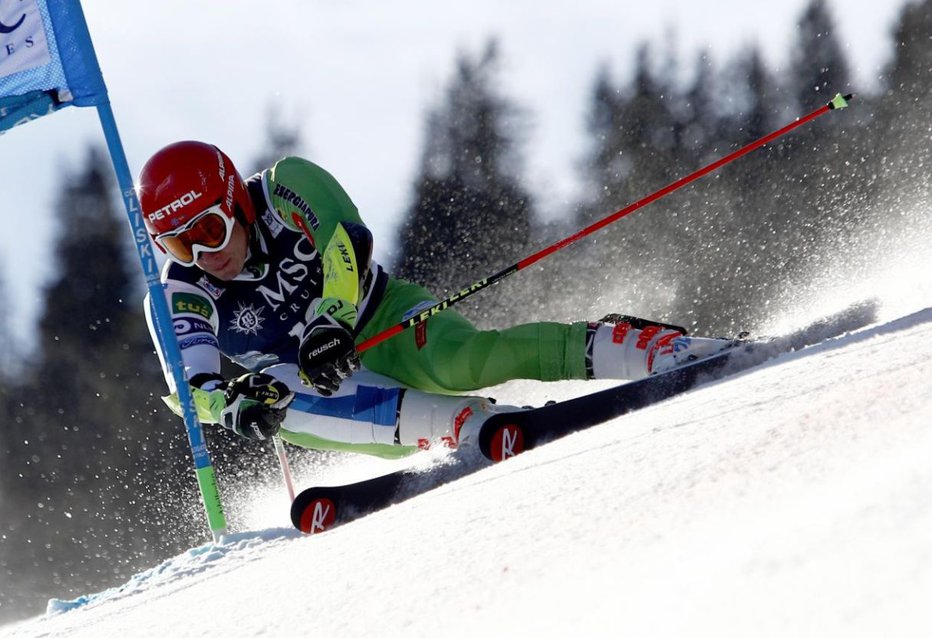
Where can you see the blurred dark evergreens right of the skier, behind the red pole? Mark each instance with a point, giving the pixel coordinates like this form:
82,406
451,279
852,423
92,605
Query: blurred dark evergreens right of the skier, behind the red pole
719,255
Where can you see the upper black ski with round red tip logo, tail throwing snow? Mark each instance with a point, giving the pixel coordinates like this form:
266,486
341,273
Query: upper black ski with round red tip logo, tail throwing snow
508,434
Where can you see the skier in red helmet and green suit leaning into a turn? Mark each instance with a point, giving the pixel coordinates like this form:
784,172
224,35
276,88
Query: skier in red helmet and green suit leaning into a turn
276,273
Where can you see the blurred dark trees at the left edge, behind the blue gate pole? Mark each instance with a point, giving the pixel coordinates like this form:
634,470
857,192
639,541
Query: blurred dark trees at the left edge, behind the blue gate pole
88,455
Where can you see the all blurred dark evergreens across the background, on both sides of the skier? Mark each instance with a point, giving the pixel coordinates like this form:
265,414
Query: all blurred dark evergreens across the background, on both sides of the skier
95,479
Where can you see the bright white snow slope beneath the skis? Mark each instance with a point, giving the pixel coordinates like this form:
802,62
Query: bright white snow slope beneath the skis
792,500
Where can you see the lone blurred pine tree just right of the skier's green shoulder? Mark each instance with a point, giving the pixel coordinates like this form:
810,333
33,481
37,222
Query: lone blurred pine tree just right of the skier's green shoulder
470,213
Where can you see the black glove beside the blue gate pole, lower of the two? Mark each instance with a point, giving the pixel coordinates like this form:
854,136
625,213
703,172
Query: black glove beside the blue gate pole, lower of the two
255,405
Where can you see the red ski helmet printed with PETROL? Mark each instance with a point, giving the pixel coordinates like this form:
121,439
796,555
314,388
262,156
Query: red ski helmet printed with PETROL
184,179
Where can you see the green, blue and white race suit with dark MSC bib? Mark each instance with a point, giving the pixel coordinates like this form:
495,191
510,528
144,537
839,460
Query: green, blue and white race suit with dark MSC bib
304,247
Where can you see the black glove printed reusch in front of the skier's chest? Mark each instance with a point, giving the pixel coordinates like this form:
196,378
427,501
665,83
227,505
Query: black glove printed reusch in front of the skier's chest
327,354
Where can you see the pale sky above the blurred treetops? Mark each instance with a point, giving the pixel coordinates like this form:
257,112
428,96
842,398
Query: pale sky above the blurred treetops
358,75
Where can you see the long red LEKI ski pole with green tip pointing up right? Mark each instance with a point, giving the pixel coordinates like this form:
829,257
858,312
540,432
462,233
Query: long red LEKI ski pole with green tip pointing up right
838,102
